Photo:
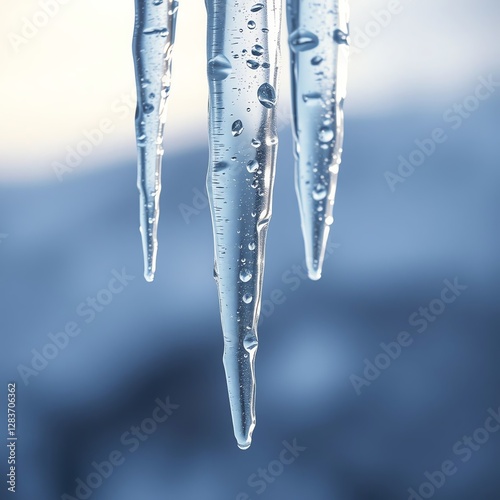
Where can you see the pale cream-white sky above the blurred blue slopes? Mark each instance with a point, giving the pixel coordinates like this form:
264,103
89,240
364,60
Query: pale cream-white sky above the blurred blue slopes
75,69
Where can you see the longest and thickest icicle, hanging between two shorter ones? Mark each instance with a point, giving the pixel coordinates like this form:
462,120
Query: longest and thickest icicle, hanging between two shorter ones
242,50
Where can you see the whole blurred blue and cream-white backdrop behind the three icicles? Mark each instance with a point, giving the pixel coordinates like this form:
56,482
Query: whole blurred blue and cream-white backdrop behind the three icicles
399,233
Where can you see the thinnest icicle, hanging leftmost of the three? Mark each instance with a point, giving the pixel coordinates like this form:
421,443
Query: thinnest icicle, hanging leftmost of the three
153,41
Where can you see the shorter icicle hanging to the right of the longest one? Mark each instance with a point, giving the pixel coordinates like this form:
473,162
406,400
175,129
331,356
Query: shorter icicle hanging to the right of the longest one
318,42
